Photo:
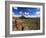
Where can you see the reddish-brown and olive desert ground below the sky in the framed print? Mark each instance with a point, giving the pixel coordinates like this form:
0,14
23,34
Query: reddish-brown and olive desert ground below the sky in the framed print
22,23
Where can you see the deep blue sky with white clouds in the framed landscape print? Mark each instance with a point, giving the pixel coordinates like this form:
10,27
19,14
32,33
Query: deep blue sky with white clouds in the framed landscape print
26,11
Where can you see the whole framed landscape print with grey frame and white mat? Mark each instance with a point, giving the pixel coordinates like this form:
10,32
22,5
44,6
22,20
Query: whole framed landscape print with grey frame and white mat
11,10
